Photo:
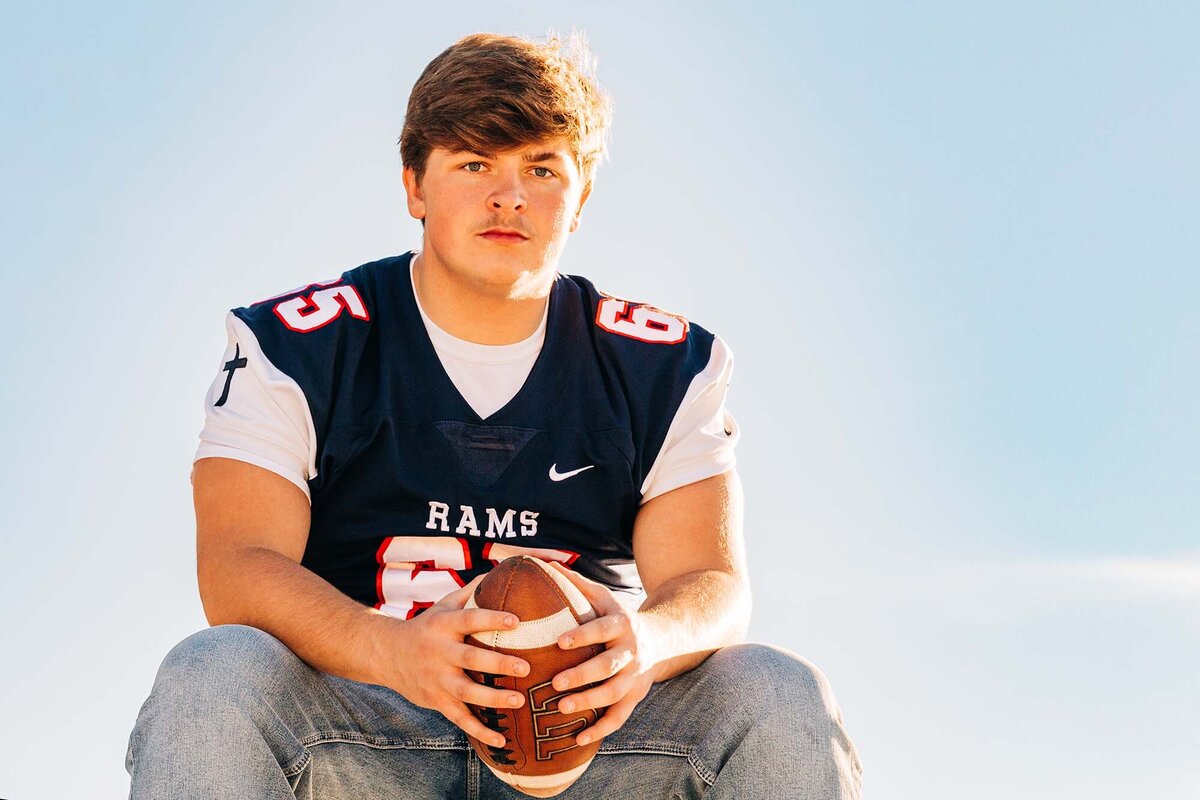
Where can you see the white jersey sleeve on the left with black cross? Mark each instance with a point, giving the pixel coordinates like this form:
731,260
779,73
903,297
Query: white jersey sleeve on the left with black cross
256,414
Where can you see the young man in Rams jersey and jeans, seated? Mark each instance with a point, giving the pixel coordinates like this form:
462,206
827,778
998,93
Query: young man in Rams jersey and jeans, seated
376,443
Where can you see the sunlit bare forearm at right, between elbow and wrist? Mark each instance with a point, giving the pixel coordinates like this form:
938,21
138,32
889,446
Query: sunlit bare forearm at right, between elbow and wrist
692,616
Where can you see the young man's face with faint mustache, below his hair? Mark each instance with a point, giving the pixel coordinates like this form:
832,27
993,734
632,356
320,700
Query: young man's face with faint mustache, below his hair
499,221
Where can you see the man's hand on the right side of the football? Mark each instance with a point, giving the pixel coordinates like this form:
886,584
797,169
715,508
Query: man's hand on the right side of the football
625,672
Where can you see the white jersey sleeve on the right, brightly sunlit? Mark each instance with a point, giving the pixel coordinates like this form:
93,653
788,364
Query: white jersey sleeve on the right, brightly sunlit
703,436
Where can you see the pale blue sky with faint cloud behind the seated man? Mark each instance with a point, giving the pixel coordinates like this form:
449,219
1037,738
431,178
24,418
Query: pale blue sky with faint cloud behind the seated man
953,246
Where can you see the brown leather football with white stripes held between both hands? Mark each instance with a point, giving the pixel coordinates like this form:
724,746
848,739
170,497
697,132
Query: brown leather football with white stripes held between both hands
539,756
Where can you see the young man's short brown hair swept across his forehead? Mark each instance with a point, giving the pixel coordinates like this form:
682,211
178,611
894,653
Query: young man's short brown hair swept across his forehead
489,93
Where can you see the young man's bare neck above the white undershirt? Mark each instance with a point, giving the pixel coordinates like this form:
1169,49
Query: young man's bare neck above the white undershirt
481,315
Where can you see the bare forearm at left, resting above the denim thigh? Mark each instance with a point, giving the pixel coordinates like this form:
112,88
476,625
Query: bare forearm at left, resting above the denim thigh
267,591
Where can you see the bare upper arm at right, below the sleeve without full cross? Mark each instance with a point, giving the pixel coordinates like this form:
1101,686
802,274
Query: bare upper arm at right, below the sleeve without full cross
693,528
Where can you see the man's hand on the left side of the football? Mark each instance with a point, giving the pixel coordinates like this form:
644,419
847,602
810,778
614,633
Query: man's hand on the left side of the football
428,669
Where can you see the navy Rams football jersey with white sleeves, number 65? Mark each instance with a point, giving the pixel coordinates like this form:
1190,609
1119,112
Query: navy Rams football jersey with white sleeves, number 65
415,494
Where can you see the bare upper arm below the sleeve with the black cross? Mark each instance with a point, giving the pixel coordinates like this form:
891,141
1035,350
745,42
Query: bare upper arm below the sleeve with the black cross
239,507
